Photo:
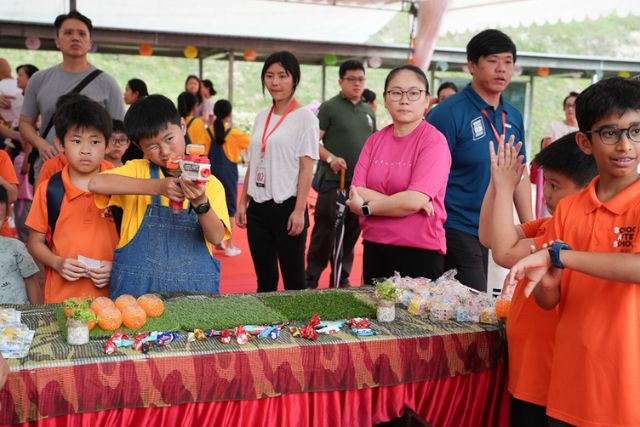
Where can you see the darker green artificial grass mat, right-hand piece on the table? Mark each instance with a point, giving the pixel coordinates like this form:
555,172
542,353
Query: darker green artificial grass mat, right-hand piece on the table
330,305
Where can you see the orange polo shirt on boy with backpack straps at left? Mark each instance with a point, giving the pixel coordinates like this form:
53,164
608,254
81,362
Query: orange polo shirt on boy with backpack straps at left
81,229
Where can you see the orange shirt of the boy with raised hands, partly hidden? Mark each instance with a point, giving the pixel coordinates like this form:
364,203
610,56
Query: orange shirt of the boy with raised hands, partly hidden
530,336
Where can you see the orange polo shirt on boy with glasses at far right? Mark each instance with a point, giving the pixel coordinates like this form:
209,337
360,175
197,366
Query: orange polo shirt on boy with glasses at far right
595,375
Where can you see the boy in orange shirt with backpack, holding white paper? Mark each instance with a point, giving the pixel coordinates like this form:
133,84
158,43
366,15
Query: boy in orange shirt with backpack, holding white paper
78,254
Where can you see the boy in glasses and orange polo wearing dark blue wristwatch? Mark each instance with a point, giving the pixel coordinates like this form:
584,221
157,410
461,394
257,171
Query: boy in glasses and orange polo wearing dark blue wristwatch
591,272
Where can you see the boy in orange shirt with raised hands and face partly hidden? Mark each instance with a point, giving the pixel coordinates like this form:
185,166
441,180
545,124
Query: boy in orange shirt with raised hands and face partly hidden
530,329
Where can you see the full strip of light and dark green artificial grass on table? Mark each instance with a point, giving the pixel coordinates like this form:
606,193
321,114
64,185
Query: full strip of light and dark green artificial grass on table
229,311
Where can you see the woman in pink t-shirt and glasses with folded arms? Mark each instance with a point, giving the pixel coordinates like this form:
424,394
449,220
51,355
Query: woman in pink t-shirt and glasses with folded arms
399,184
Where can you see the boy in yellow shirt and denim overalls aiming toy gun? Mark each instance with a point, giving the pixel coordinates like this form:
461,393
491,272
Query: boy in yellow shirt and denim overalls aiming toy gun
162,249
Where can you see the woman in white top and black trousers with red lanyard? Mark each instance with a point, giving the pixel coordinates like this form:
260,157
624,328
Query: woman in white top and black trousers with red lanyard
273,206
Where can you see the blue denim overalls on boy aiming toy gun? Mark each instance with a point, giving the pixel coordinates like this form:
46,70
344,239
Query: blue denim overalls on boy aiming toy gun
168,254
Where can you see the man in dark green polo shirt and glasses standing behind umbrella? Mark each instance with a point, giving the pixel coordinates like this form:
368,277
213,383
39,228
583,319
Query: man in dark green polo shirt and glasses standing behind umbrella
345,124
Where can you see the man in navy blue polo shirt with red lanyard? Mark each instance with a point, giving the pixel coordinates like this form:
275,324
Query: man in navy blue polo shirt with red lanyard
469,120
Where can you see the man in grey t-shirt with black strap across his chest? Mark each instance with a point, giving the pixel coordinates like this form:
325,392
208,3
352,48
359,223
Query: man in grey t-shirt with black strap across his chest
73,38
